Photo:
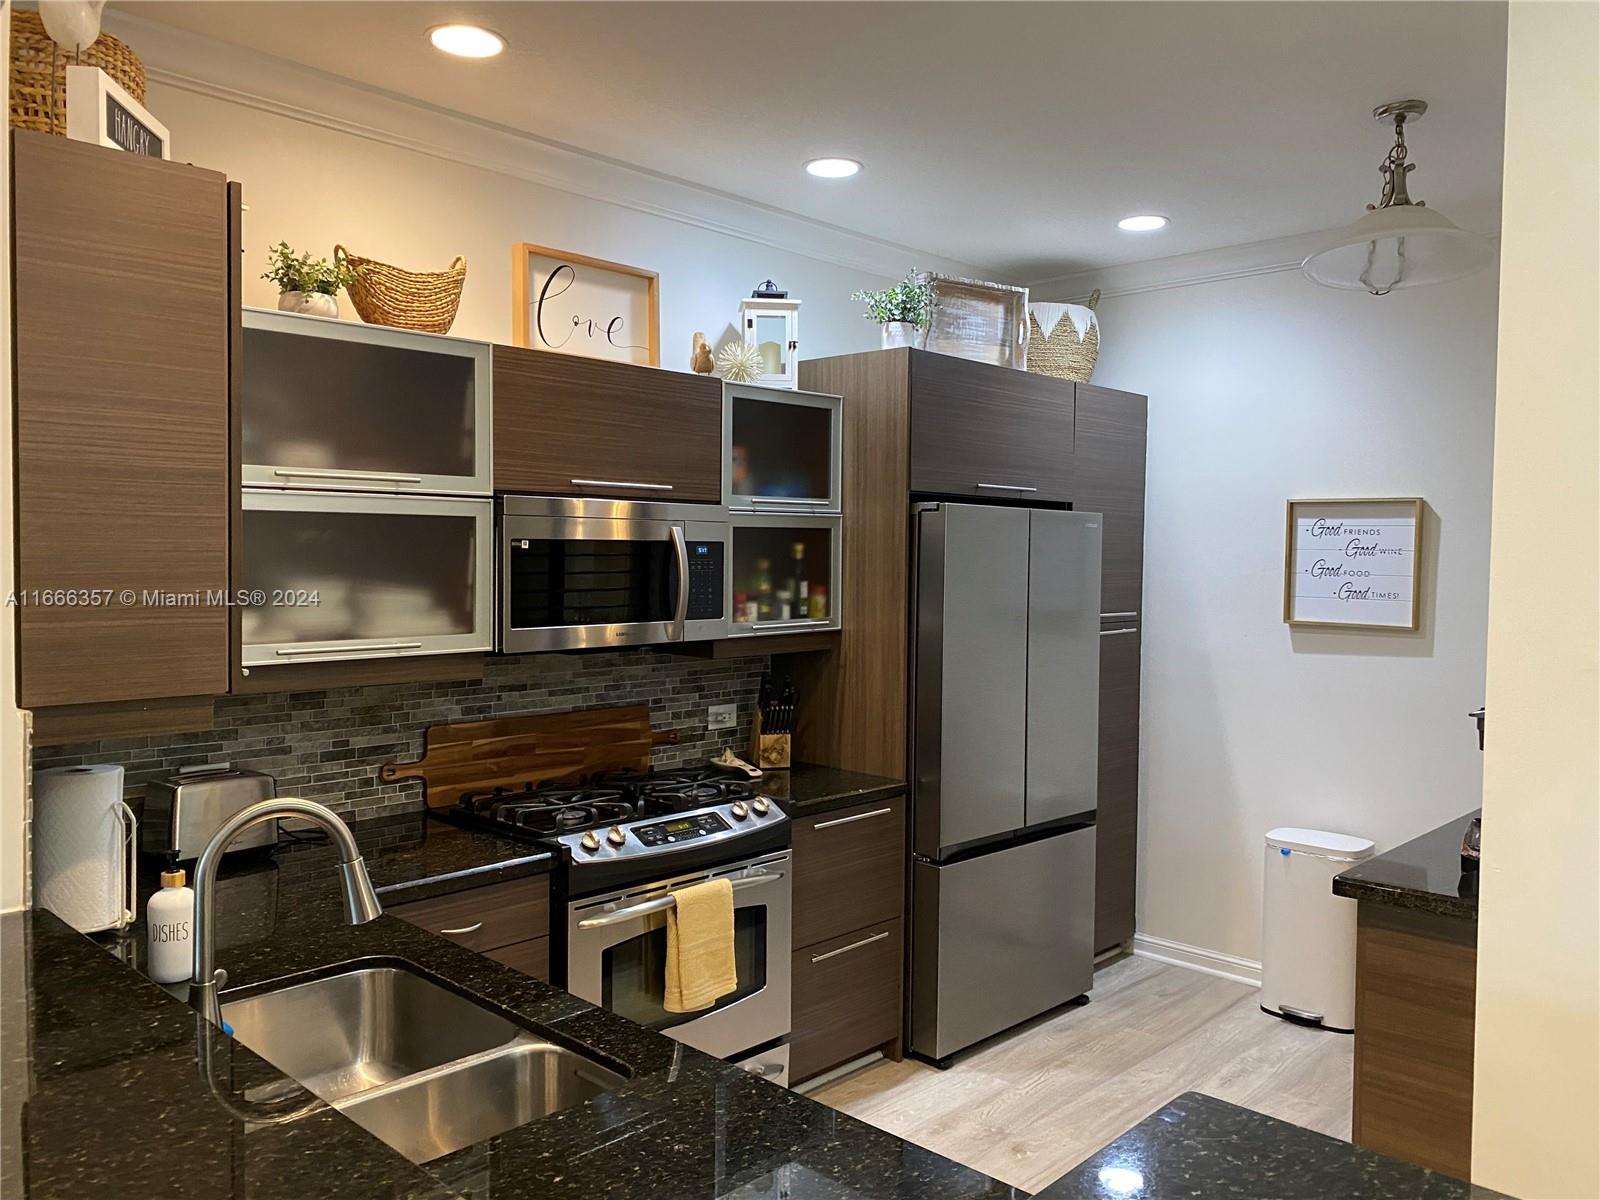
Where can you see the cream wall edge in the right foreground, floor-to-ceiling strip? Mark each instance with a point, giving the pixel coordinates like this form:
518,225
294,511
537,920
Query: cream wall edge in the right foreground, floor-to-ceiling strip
1537,1090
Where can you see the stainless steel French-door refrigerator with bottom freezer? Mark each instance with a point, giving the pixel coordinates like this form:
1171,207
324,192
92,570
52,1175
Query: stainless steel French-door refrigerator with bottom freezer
1006,732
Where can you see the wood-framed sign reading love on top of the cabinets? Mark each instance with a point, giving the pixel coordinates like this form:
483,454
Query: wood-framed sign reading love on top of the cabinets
578,305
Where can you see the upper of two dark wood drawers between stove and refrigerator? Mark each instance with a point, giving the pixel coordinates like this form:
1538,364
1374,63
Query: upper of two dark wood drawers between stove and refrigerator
850,868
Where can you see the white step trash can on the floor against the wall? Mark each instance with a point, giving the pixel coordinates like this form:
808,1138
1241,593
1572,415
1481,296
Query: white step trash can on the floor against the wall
1308,935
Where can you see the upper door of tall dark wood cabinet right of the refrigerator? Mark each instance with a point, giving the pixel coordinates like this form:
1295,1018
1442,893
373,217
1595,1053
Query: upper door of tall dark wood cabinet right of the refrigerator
1110,439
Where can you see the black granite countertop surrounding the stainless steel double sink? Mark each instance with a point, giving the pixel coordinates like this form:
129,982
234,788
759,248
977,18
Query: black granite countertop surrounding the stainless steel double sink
103,1095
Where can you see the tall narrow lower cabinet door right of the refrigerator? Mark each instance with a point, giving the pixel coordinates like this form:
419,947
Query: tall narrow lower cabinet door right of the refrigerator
1118,833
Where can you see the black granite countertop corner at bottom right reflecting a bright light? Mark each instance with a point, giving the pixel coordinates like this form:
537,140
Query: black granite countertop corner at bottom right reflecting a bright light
1199,1146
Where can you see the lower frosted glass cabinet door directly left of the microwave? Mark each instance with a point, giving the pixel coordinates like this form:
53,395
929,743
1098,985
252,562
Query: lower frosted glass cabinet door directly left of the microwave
345,577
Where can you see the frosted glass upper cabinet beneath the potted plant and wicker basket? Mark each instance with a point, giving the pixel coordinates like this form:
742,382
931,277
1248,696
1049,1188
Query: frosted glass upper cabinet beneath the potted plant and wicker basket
343,406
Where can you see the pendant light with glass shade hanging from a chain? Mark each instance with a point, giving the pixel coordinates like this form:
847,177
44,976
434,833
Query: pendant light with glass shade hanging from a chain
1399,244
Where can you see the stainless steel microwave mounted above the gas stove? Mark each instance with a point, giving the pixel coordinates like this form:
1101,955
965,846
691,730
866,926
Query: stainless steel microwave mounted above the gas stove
591,574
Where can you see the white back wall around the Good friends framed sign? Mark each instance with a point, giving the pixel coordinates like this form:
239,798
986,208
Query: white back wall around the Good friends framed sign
1262,390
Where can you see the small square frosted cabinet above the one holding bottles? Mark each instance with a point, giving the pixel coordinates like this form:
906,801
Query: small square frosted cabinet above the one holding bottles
780,450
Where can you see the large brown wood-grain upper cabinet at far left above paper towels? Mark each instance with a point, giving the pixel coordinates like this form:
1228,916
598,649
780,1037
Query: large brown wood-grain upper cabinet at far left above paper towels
124,334
